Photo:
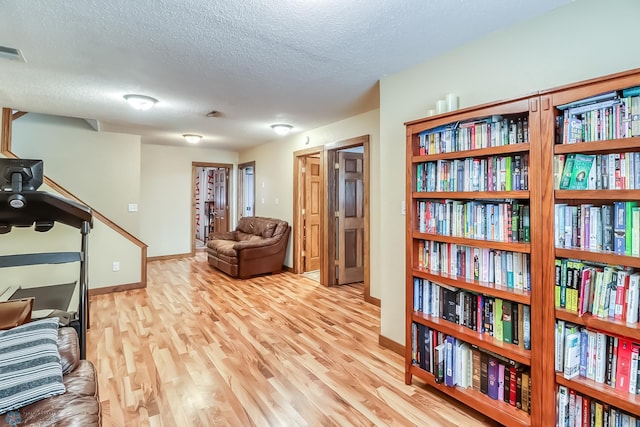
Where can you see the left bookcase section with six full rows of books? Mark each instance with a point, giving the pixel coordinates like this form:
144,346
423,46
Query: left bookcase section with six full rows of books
470,255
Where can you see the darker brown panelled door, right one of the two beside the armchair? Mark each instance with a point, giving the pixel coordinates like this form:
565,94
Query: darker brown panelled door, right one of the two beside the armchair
350,218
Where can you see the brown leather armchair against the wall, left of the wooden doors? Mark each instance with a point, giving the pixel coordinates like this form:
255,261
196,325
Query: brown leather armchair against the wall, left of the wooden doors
257,246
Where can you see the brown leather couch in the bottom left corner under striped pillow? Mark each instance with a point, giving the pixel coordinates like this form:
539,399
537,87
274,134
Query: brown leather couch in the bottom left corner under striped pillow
78,406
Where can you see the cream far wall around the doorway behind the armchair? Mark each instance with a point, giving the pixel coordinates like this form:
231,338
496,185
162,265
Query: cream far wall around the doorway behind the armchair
166,188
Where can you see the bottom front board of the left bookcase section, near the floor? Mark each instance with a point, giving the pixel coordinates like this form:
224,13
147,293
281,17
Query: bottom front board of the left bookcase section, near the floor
499,410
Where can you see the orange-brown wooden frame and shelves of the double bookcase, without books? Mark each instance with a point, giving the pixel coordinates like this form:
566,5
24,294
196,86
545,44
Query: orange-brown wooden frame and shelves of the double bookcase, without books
542,112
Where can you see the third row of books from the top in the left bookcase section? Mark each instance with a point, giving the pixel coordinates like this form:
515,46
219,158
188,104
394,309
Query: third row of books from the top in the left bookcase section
501,221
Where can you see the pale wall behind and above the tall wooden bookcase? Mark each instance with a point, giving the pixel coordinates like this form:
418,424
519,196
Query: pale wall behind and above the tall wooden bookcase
584,39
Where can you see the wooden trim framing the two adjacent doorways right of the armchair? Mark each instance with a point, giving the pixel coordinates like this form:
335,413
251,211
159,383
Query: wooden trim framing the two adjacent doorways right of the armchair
327,243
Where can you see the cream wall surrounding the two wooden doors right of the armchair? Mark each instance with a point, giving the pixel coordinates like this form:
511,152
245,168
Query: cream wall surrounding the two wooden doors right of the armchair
274,175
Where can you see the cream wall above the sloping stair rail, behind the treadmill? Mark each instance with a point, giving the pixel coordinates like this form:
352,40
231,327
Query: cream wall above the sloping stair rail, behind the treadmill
101,168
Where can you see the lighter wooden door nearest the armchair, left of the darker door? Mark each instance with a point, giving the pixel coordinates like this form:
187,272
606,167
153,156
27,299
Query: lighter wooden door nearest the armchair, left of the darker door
312,183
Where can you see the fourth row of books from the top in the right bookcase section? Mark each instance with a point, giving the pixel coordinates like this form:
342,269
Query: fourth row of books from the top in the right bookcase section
607,292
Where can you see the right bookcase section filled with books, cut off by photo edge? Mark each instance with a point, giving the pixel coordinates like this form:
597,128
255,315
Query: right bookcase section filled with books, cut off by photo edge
594,252
